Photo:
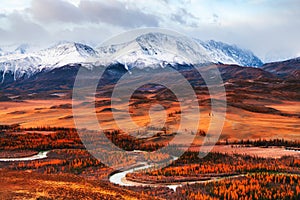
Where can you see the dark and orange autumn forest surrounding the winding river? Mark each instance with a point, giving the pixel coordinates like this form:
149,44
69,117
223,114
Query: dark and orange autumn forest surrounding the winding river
216,176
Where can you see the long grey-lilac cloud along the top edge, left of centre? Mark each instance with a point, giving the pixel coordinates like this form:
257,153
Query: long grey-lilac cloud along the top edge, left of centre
110,12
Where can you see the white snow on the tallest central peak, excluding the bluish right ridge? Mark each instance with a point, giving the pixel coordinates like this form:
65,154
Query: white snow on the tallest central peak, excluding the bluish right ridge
156,49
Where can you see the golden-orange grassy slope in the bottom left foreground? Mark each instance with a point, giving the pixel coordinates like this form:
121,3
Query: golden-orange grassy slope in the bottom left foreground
30,185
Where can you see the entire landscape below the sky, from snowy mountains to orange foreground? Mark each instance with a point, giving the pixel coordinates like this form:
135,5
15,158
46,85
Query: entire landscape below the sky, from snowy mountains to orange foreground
138,132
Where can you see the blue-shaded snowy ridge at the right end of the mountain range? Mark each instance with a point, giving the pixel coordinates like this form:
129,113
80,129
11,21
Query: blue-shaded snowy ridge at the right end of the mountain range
230,54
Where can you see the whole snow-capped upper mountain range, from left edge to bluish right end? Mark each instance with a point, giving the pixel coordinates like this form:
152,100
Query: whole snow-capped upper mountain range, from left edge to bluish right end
148,50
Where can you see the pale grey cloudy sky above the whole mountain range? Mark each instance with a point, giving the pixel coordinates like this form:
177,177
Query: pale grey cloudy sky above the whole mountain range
270,28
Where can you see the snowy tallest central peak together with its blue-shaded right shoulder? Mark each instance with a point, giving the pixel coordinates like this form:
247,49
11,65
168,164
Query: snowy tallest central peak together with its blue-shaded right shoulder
152,49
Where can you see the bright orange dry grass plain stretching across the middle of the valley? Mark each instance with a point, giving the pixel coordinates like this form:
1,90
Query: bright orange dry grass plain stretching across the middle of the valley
239,124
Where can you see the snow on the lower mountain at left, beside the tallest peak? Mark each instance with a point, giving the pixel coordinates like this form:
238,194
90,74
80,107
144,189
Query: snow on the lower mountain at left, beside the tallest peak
25,64
